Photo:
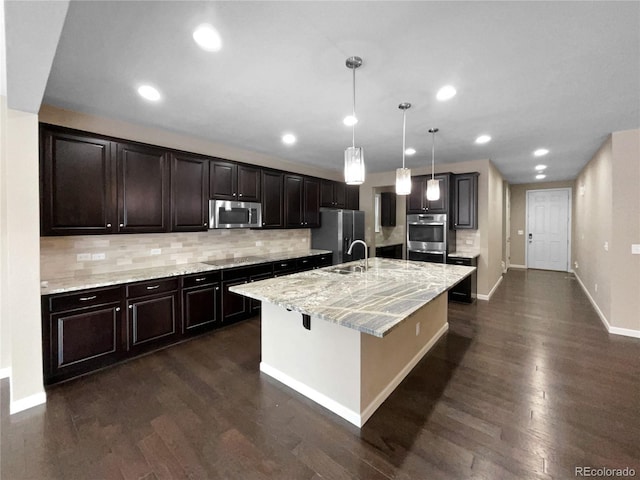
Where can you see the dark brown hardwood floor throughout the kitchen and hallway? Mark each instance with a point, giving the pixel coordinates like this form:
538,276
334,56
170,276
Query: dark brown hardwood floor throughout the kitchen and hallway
526,386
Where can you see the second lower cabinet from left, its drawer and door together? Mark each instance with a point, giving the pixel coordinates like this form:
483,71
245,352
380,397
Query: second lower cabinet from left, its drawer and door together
152,319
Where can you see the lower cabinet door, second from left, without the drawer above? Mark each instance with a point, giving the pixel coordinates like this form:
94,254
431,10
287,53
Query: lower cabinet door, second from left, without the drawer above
152,321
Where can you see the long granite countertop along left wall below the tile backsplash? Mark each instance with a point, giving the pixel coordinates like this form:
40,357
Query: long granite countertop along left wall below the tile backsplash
69,284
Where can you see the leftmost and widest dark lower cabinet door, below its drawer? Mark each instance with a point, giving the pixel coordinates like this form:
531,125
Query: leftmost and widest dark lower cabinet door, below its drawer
82,340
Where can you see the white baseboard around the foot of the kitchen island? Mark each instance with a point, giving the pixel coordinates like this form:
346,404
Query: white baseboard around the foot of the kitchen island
356,418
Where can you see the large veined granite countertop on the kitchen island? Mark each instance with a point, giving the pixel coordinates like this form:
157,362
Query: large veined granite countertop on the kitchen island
372,302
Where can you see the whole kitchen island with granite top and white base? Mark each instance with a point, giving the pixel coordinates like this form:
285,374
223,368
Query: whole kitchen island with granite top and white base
345,337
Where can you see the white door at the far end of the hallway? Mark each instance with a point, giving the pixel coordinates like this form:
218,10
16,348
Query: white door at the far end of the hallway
548,220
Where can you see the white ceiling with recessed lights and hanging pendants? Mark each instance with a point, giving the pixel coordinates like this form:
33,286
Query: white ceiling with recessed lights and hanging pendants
560,75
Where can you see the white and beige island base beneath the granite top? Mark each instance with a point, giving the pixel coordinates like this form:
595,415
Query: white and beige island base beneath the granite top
346,371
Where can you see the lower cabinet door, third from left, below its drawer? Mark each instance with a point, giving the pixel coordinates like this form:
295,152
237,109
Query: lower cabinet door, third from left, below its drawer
201,308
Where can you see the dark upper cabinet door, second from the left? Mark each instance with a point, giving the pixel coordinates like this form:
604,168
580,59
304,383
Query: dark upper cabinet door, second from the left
143,189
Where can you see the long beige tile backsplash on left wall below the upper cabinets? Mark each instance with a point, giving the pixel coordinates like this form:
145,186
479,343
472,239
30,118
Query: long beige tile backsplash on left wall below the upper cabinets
80,255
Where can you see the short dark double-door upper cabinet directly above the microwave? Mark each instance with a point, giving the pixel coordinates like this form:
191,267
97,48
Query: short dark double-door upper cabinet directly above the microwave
234,181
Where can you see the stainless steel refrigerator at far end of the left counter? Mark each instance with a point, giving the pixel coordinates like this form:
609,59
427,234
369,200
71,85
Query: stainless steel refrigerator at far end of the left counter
338,228
